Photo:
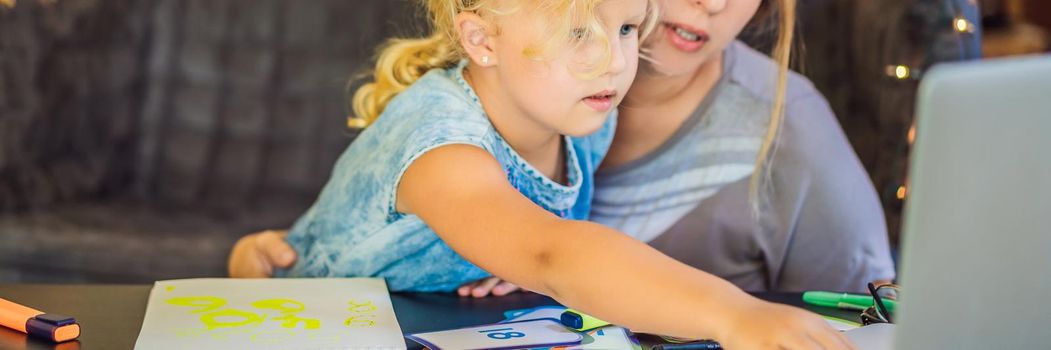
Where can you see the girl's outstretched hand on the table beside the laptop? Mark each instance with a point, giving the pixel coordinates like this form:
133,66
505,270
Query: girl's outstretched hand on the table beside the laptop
764,325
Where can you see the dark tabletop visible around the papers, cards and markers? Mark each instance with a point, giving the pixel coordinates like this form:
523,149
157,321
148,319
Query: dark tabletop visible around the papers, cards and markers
111,316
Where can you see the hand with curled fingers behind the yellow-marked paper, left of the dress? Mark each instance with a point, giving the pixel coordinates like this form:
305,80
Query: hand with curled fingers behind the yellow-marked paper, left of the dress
258,255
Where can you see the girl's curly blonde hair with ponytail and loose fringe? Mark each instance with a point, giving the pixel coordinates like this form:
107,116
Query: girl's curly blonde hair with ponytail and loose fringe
403,61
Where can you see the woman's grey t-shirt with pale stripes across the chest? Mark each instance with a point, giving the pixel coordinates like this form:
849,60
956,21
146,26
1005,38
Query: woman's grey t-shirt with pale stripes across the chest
821,225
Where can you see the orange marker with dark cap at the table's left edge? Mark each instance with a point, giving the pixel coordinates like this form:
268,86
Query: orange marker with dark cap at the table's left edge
49,326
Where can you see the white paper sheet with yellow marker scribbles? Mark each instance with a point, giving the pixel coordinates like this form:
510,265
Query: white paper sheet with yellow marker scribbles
271,314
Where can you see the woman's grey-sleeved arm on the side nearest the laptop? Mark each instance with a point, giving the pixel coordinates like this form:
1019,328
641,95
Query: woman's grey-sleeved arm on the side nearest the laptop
828,207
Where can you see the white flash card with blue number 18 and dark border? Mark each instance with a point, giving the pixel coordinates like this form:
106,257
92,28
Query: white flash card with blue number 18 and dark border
537,334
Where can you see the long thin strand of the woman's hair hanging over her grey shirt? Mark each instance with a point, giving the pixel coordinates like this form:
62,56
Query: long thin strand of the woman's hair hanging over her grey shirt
760,181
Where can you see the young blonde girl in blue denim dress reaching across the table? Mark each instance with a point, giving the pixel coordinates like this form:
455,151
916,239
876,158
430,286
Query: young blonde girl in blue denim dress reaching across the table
469,171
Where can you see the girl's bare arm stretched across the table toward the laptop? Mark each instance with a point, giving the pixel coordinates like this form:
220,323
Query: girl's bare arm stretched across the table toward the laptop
462,193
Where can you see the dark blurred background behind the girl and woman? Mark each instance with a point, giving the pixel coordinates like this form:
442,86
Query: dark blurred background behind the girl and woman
140,138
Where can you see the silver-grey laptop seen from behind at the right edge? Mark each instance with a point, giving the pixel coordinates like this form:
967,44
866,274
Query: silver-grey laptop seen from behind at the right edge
977,250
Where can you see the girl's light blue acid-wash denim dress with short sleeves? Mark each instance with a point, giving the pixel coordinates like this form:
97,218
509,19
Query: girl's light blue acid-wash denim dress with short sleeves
354,229
